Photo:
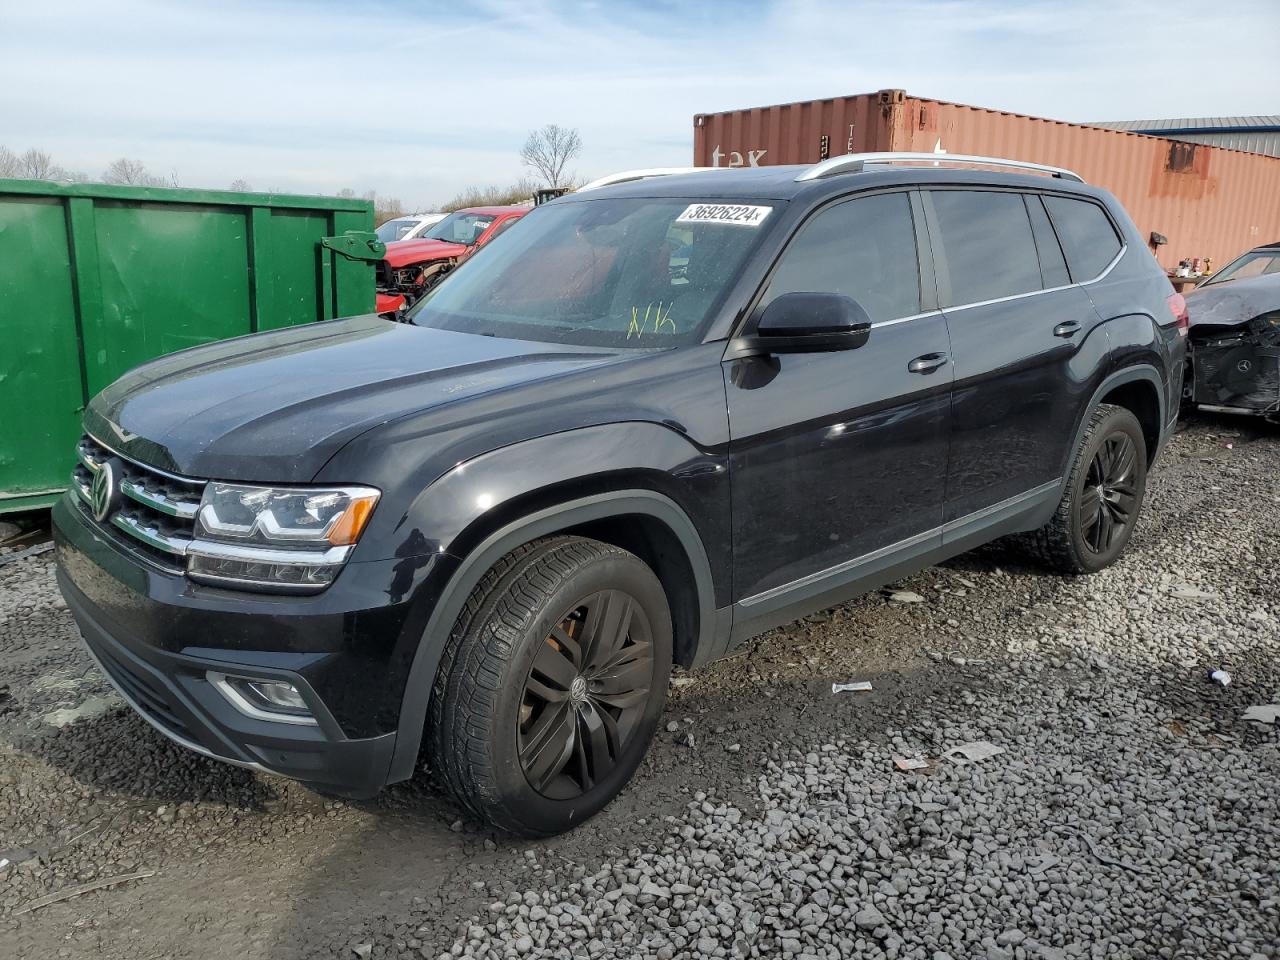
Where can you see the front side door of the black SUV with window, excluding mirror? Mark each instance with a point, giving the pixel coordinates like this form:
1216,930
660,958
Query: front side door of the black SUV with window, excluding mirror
839,460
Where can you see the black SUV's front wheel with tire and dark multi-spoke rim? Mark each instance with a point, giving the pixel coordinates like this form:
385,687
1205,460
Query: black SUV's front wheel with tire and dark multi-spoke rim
552,685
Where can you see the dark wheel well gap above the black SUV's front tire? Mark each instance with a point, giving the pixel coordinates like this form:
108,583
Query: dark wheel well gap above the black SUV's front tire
655,543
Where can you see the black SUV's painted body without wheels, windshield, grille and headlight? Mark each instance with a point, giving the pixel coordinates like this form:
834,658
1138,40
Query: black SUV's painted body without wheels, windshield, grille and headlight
758,486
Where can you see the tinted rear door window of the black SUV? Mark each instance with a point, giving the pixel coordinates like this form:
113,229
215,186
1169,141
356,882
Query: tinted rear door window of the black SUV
989,246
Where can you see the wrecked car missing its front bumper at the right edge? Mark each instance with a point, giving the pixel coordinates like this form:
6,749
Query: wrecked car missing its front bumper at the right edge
1235,360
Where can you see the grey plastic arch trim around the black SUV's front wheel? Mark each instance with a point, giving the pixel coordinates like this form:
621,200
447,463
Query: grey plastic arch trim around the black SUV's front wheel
639,520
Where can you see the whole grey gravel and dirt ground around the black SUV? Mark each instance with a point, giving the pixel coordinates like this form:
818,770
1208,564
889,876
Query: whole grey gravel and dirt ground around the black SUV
1131,813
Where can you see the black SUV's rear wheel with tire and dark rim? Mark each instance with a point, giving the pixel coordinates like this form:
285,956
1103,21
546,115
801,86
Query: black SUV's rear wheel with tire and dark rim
1104,496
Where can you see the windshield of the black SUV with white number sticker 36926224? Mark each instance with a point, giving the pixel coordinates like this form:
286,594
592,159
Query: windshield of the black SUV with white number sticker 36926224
611,273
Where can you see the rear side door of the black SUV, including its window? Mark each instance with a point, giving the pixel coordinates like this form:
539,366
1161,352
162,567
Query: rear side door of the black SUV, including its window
1022,345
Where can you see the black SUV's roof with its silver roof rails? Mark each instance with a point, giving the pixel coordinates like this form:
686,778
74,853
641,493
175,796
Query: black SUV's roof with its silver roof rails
780,184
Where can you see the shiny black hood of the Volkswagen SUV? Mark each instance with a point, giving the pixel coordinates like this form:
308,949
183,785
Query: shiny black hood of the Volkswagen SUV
275,408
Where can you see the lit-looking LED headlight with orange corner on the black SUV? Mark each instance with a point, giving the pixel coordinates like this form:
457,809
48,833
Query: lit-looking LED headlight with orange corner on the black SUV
292,540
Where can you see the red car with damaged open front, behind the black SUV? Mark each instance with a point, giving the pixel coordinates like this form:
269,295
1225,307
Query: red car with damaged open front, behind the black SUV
414,267
